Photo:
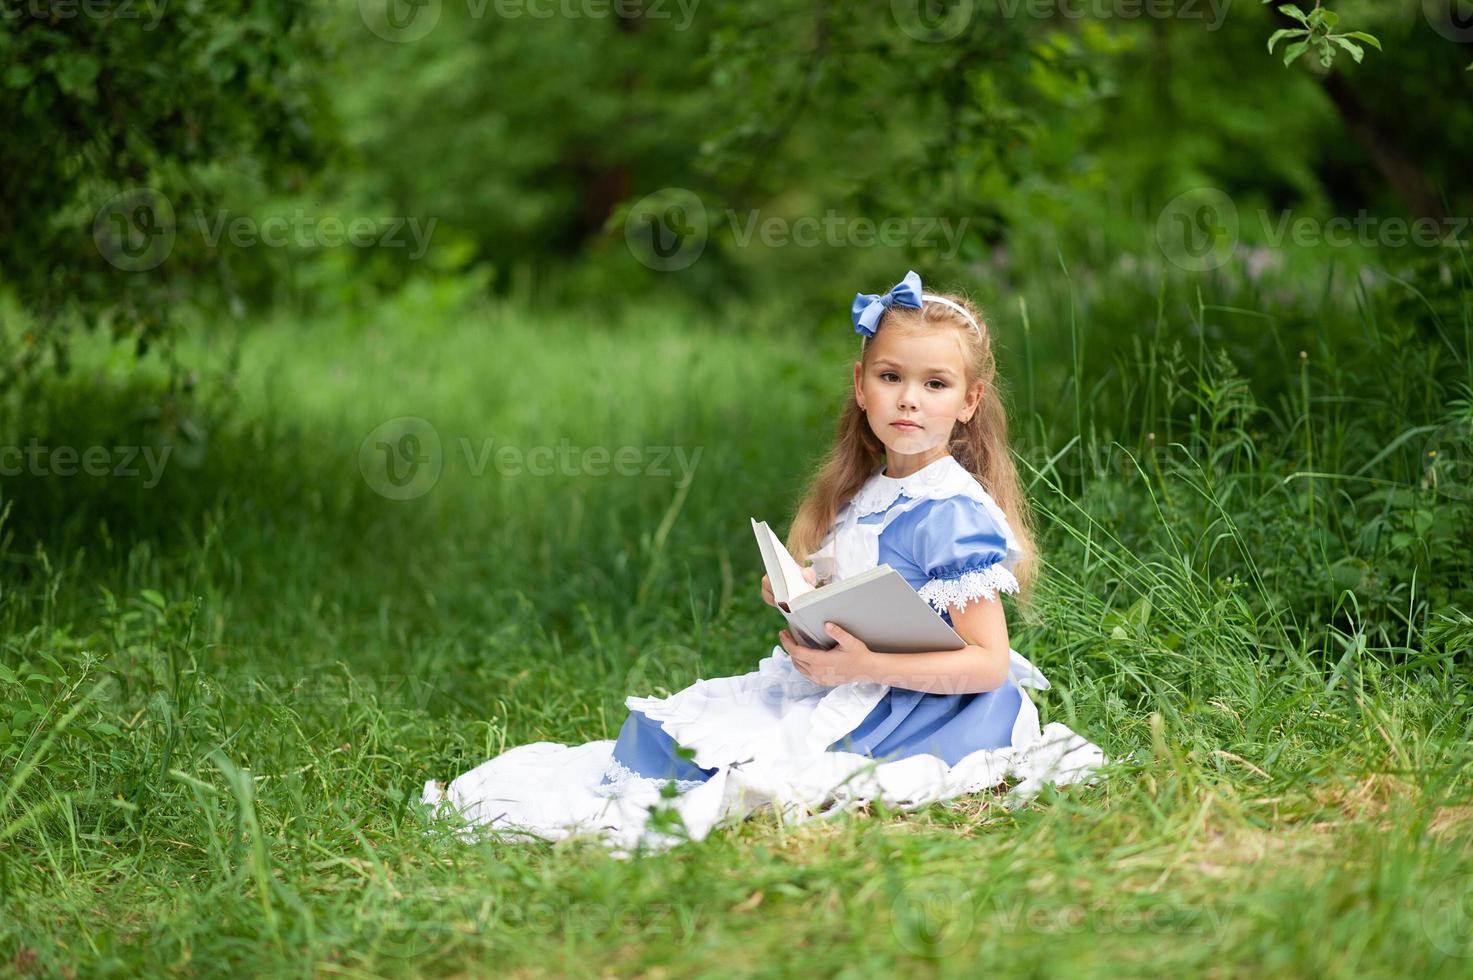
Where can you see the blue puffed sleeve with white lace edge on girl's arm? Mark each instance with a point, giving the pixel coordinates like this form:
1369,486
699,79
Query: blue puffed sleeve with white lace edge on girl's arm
967,550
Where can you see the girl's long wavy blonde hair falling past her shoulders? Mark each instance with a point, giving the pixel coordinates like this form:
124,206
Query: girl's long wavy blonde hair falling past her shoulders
979,444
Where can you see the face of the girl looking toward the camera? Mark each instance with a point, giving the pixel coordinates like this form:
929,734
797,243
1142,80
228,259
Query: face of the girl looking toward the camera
914,391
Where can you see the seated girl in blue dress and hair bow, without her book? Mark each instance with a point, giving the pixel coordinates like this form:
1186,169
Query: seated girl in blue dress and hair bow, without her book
827,730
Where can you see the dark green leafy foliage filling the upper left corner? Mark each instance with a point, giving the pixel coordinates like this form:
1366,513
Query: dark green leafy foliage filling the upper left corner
122,120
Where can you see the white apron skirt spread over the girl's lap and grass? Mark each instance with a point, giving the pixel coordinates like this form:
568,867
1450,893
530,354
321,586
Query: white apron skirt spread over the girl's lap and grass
767,735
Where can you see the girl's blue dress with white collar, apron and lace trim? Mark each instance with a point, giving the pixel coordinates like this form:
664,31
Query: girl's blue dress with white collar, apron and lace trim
776,739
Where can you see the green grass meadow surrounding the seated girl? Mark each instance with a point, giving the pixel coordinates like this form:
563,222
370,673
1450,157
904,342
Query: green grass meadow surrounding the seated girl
226,692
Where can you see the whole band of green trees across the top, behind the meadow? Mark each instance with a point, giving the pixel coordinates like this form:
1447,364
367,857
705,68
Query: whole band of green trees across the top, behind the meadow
530,133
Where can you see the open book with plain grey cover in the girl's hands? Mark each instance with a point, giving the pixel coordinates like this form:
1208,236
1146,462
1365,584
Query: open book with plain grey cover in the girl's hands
879,606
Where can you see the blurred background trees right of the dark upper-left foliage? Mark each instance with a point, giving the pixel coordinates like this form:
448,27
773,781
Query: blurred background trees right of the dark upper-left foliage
977,114
